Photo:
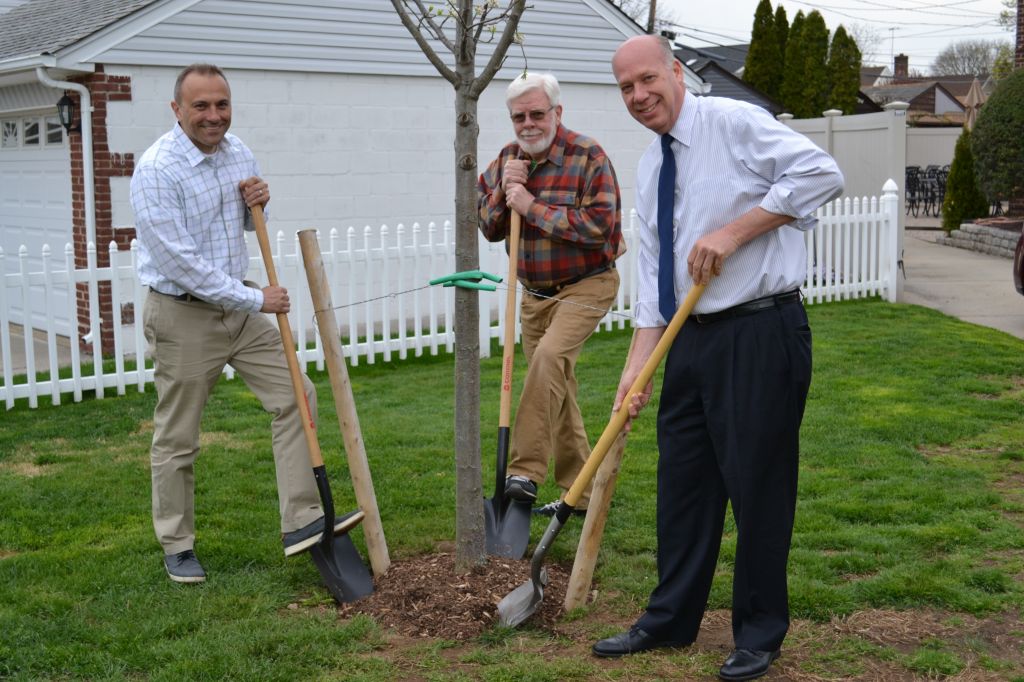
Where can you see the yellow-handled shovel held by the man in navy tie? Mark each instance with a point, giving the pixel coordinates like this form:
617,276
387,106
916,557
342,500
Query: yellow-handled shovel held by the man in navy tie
520,605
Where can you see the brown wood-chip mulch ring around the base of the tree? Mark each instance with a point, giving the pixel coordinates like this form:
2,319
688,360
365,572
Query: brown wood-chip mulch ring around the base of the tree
424,598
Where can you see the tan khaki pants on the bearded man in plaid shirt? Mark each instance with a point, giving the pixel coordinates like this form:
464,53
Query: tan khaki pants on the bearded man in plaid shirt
548,420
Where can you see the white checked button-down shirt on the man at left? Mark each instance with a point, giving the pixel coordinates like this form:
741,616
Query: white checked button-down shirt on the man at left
190,218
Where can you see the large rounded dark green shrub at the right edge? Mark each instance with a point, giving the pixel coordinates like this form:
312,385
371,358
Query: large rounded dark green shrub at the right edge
998,143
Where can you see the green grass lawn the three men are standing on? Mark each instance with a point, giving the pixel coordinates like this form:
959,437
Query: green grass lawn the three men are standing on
911,501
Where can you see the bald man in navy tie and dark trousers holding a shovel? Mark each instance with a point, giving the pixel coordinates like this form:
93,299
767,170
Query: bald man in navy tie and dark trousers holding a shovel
723,197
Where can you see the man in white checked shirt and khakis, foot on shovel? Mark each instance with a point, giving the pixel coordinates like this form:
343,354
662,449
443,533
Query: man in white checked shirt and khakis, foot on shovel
191,194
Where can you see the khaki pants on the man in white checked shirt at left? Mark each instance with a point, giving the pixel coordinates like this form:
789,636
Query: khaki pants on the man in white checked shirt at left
191,344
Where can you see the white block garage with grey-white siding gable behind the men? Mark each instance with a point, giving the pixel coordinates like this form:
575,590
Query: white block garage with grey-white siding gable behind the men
351,123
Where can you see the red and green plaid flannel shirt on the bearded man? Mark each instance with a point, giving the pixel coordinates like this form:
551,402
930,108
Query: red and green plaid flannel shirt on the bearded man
574,227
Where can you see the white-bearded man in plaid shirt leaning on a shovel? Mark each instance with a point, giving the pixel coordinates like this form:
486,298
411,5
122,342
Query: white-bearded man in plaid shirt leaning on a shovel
565,188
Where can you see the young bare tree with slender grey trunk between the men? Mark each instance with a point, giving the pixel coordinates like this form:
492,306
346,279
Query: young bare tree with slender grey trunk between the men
460,27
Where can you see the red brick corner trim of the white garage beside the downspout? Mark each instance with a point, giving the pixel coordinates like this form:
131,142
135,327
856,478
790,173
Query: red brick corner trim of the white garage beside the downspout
103,89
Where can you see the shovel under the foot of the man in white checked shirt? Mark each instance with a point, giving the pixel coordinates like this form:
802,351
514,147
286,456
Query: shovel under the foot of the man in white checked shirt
336,558
